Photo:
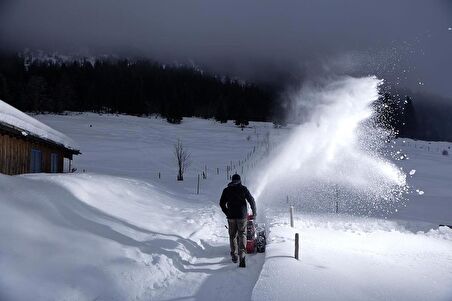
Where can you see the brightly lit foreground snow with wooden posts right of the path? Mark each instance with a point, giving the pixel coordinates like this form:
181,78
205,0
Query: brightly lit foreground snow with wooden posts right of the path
355,259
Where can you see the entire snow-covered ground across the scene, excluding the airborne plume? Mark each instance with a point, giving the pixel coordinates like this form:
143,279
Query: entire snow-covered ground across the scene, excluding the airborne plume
114,230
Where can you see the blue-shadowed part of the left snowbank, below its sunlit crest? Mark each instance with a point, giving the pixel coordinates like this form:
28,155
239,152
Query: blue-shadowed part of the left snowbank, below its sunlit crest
61,248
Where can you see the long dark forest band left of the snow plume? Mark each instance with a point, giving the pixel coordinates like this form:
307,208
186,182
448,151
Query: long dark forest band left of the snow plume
136,87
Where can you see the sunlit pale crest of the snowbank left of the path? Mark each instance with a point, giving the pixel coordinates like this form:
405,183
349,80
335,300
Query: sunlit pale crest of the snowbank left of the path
133,201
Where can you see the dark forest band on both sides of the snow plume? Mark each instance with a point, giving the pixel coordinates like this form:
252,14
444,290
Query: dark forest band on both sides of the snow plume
144,87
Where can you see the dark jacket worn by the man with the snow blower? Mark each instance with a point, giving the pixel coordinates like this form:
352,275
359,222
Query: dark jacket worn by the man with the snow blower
233,201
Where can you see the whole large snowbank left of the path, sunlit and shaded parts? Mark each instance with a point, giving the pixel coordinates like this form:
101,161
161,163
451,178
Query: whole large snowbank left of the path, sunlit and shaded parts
72,237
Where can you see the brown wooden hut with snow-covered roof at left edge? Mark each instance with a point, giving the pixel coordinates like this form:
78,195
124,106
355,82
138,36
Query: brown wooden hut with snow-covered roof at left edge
29,146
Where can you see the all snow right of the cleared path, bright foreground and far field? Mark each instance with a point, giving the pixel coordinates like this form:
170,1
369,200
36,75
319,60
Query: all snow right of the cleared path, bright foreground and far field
405,256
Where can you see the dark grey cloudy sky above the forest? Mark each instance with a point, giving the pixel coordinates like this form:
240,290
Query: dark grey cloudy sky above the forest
259,39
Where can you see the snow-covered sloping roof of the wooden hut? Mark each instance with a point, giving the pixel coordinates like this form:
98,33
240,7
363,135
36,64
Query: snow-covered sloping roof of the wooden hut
11,116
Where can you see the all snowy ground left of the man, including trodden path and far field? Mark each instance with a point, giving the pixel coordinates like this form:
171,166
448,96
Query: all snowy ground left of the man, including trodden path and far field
117,232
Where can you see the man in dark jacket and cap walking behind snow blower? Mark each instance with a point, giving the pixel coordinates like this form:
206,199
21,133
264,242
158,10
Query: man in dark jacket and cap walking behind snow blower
233,203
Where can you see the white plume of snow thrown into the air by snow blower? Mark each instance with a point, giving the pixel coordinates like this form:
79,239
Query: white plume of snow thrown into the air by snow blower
335,159
